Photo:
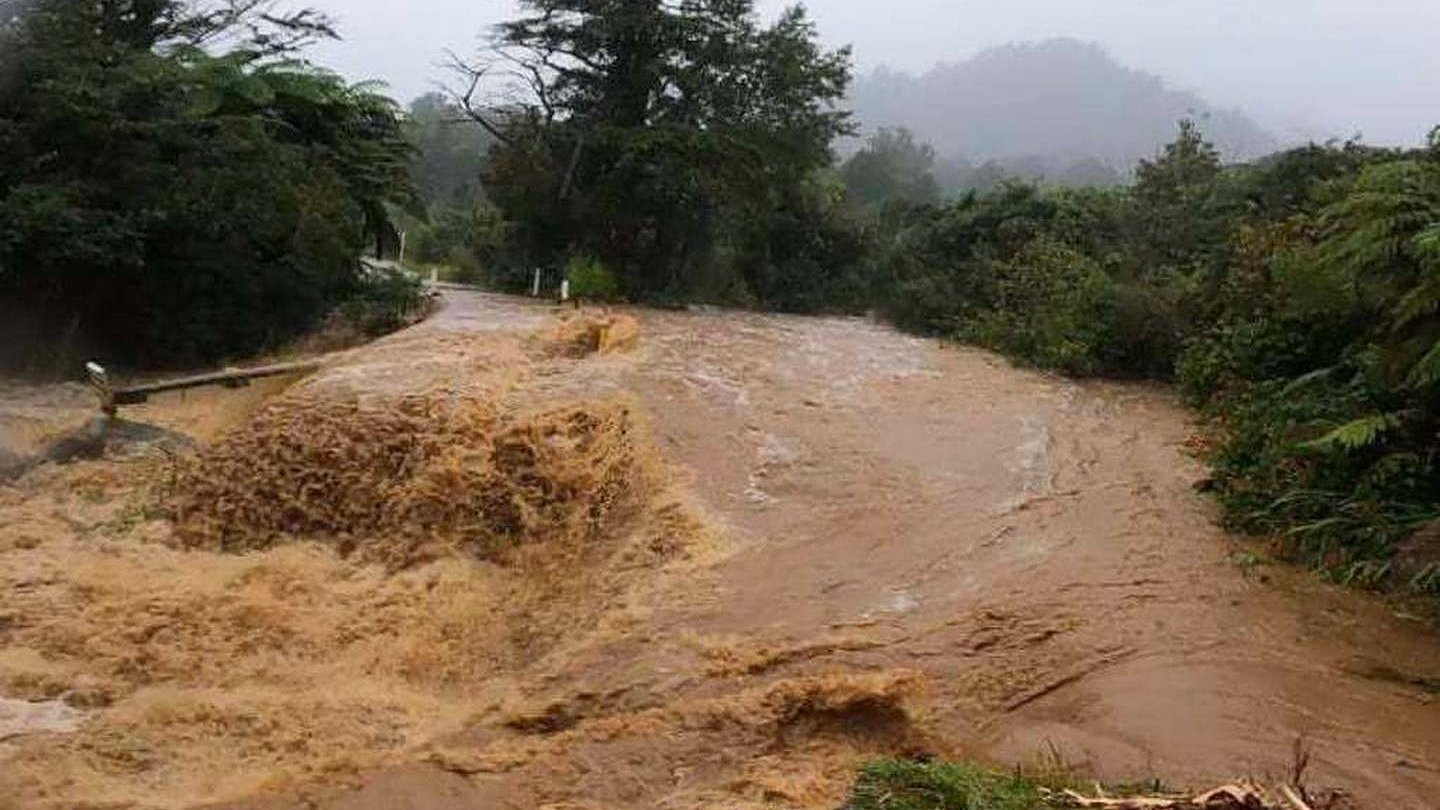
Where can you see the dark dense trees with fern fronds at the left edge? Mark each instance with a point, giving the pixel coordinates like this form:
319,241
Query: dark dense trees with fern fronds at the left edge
178,185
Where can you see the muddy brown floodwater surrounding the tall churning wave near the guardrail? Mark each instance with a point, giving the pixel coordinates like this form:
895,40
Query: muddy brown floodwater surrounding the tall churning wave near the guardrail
902,548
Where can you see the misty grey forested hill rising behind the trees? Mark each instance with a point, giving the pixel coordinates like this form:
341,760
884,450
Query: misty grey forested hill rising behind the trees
1059,99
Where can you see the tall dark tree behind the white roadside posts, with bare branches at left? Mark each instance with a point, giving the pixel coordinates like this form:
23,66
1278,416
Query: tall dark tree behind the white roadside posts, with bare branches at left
639,130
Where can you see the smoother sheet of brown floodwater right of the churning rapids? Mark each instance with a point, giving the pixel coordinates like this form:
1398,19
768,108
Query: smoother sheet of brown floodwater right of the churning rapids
1032,544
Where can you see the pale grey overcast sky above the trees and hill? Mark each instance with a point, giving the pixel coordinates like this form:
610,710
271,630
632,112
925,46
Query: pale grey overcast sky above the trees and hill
1321,67
